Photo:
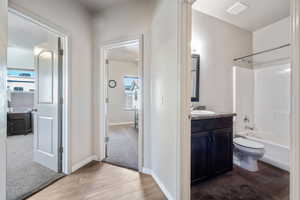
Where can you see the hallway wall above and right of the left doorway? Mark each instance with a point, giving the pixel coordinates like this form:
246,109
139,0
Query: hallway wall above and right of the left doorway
77,21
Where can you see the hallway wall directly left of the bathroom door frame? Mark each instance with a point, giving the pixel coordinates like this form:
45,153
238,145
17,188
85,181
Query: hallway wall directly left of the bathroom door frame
164,95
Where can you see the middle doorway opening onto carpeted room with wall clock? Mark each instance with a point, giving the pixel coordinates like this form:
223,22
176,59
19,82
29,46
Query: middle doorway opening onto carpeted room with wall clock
122,137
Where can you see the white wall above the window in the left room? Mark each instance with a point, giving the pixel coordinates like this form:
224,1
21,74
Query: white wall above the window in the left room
20,58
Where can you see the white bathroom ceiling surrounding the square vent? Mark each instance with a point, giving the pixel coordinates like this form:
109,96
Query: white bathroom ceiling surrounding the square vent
259,14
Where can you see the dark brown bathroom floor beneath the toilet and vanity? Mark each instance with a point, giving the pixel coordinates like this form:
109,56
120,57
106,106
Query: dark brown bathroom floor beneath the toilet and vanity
269,183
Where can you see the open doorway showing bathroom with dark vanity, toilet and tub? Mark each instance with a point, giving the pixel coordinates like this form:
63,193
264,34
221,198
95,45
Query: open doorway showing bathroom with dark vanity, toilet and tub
244,55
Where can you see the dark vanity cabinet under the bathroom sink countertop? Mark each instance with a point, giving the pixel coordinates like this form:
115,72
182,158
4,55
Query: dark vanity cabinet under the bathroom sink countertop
211,148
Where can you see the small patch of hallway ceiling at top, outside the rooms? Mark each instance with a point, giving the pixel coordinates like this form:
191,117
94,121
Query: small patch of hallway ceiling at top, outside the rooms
98,5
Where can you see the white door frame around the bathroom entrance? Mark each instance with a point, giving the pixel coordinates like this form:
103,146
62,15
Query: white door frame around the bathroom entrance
183,172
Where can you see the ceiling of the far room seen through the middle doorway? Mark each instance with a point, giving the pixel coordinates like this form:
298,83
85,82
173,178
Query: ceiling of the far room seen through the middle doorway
128,53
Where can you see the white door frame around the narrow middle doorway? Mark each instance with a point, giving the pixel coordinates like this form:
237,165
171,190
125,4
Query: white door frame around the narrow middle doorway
103,93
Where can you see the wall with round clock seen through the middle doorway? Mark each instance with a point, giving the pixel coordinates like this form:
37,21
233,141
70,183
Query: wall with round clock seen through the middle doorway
117,101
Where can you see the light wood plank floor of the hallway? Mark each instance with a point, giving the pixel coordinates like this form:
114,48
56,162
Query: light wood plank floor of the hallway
102,181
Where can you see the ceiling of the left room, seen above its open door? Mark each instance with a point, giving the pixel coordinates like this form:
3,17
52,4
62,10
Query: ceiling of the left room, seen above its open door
24,34
